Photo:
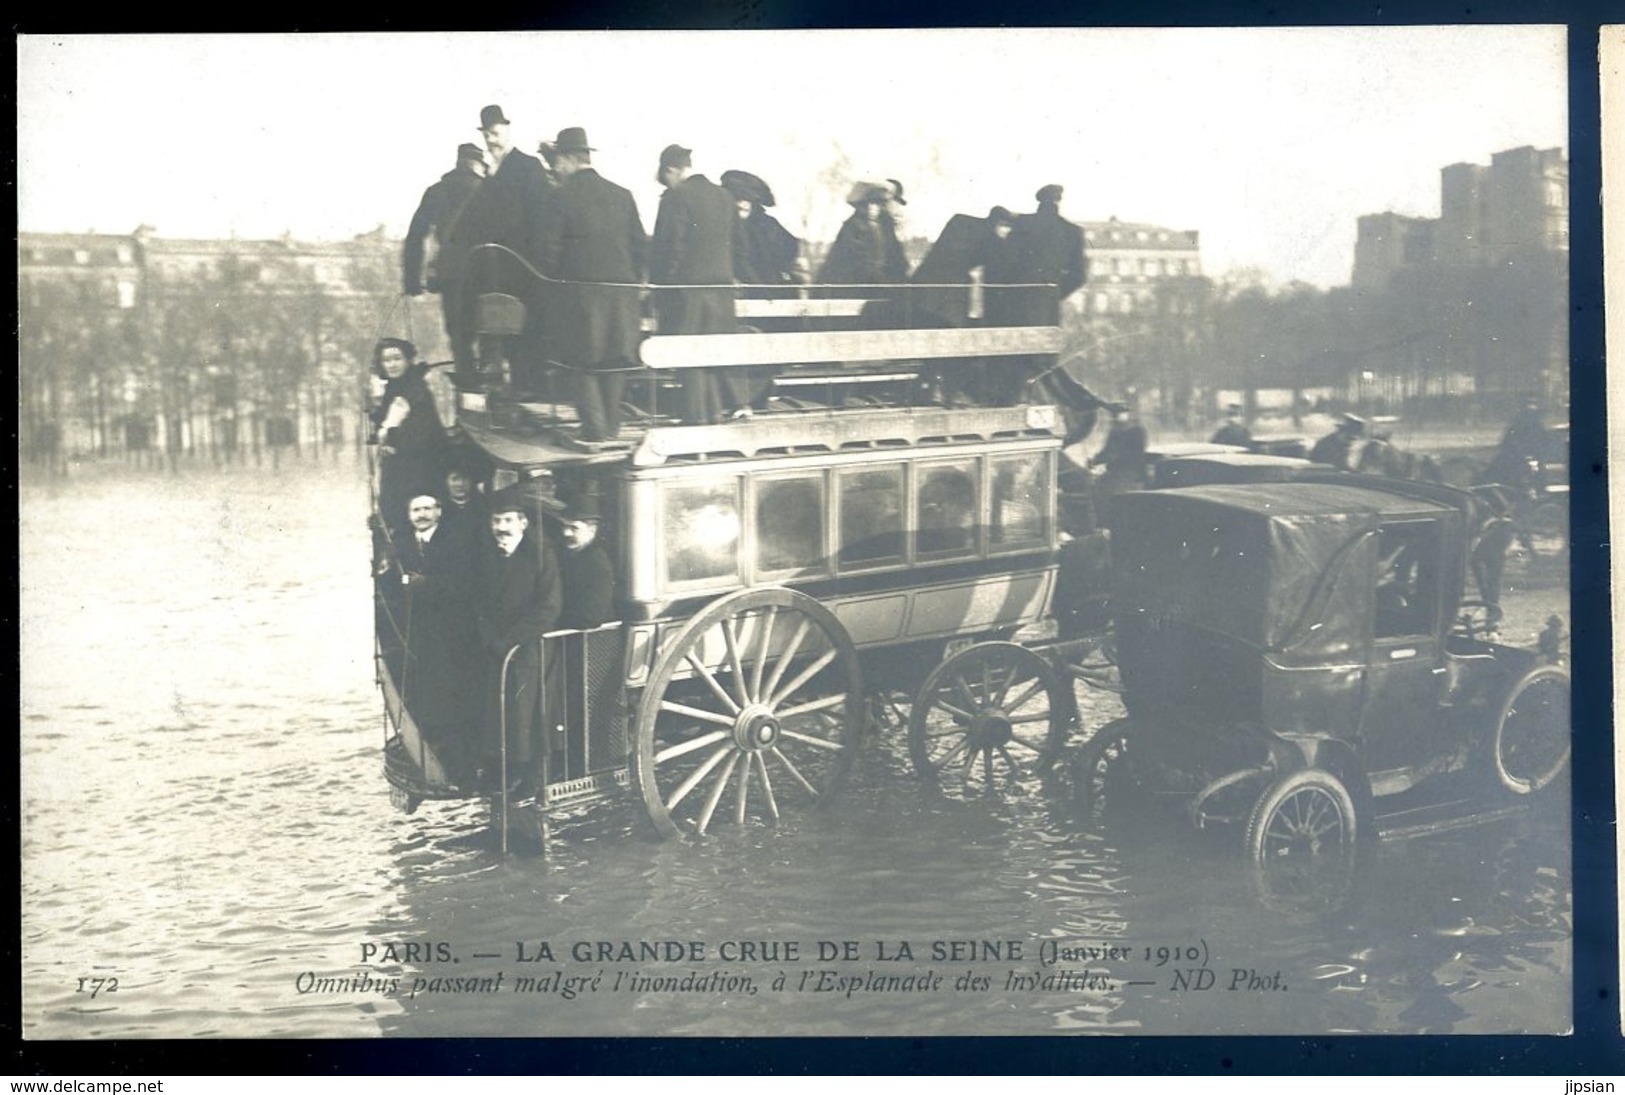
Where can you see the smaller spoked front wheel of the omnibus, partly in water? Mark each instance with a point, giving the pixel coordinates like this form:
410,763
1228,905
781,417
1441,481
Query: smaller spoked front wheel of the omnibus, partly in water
987,717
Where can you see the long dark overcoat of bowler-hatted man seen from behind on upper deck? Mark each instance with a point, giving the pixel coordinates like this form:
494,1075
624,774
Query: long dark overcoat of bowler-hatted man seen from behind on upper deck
597,236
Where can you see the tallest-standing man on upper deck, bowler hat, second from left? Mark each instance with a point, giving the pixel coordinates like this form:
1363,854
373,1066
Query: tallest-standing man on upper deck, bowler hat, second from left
513,209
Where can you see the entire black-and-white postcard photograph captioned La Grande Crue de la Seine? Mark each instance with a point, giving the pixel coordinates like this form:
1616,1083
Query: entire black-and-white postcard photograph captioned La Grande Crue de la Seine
795,534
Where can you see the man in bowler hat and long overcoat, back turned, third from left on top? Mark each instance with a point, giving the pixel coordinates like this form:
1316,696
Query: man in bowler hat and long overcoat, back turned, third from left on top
597,246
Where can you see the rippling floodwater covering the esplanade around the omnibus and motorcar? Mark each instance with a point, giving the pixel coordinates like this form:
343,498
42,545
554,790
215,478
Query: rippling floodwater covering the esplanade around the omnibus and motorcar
209,849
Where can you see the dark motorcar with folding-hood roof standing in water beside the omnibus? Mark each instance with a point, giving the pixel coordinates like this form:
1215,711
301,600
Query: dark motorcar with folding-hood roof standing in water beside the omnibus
1296,656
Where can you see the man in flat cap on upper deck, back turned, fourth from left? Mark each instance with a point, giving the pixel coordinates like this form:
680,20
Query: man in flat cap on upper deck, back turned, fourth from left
693,248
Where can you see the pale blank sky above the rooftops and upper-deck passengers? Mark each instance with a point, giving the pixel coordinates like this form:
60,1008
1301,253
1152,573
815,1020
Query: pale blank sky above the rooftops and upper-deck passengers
1268,142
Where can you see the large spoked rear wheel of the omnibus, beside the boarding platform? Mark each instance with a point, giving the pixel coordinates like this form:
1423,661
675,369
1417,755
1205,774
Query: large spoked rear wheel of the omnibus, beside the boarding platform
755,708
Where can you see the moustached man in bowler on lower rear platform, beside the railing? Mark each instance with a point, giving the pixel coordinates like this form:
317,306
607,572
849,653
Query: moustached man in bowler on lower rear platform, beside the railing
519,597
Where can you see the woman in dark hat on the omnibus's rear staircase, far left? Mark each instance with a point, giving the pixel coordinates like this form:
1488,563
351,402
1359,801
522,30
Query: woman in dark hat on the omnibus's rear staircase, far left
410,435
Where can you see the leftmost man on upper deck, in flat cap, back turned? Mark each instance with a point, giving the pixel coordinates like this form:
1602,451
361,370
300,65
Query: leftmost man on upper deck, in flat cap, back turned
441,269
